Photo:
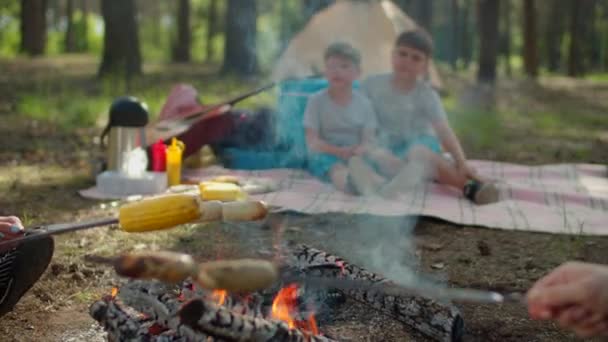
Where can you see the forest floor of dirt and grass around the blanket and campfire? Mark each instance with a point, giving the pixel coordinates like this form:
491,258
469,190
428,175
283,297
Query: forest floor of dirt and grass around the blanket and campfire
51,109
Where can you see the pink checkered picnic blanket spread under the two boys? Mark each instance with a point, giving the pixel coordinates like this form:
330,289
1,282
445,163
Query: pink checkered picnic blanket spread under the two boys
563,198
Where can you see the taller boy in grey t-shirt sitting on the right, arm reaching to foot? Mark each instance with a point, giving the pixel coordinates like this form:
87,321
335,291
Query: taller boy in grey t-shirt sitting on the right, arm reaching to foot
413,126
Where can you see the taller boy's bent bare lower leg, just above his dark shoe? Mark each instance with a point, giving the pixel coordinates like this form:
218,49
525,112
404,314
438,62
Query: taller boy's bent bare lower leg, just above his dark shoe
438,168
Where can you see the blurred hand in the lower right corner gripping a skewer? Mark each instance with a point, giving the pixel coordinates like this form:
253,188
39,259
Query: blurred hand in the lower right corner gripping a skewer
575,295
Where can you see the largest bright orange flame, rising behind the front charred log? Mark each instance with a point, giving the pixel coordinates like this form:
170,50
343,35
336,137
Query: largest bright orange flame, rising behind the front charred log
284,306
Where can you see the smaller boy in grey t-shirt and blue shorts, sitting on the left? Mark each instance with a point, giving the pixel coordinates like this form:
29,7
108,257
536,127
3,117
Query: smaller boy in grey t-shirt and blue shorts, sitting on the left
340,123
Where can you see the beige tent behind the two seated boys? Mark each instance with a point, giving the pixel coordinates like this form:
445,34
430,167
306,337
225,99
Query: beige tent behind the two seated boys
369,25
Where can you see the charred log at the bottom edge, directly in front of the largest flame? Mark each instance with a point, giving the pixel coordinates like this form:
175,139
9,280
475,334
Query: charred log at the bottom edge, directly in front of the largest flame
214,320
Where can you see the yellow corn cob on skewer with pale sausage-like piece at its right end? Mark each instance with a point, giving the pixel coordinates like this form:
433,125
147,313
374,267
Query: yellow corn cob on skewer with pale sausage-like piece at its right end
167,211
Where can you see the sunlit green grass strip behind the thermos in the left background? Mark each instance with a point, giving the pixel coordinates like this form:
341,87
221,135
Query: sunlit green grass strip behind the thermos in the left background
82,101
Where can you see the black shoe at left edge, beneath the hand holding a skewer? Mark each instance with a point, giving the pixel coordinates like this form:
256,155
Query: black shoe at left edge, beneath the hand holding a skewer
21,268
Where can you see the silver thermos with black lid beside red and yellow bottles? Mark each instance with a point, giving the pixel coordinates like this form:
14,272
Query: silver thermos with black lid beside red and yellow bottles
125,130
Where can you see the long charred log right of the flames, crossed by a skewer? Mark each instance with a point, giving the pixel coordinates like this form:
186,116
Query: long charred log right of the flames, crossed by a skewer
440,321
